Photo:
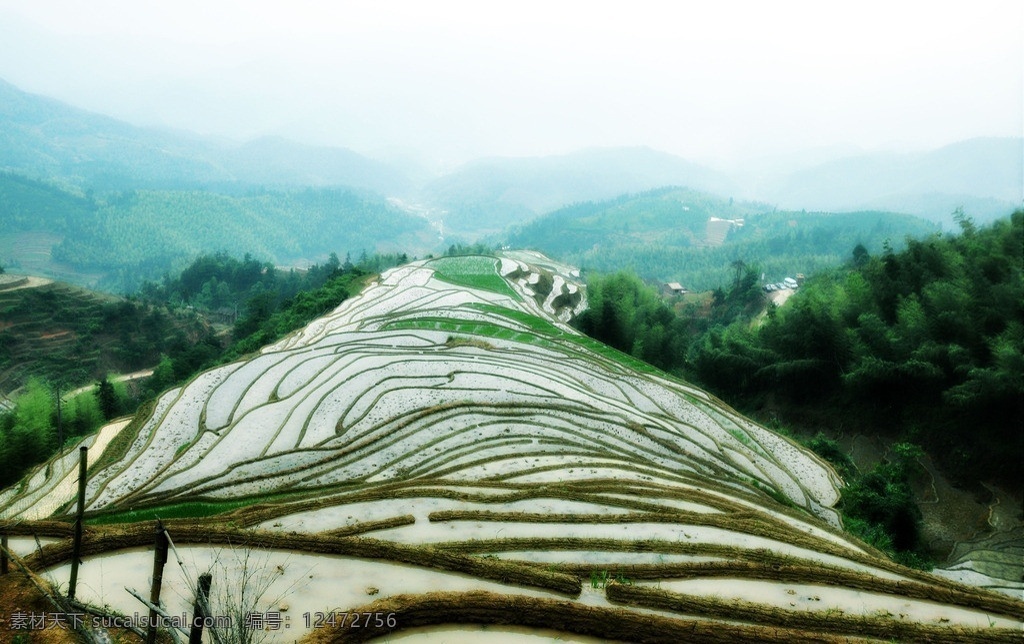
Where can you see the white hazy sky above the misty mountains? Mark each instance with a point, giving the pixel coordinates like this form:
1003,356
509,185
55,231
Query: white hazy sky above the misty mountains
452,80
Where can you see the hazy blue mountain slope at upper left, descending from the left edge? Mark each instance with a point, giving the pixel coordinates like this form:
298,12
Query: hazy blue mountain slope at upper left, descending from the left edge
47,139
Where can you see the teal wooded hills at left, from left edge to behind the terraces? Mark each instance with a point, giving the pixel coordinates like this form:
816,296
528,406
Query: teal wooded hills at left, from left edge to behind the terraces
116,241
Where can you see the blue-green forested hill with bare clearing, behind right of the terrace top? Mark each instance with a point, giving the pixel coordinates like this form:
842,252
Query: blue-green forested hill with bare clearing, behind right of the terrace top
664,235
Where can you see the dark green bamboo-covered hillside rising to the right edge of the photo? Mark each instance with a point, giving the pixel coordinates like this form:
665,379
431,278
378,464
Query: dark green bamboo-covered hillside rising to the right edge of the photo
926,345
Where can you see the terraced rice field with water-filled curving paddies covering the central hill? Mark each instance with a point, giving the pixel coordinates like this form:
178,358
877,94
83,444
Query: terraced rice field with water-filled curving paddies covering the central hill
445,450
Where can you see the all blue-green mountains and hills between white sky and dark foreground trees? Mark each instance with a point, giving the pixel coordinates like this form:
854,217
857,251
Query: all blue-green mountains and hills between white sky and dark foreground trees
207,194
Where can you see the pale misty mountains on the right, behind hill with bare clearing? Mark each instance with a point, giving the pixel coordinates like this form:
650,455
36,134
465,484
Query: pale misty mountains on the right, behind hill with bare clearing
985,177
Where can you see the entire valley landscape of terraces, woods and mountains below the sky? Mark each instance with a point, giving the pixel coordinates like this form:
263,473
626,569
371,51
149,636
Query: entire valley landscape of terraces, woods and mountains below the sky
519,399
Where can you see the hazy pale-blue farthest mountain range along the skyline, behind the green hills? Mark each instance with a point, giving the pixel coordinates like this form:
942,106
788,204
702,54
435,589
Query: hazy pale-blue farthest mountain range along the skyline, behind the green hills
49,140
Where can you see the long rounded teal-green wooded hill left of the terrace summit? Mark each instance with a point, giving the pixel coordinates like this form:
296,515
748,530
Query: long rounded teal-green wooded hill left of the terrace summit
140,228
